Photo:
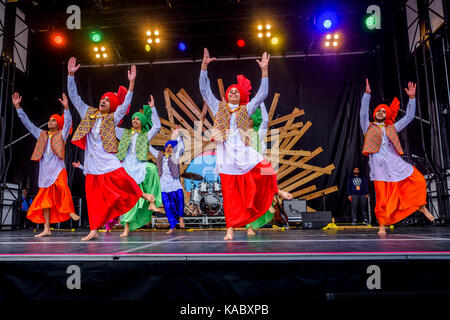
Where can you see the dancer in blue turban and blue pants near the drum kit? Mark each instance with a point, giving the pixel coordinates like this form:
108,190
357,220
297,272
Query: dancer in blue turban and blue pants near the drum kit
168,164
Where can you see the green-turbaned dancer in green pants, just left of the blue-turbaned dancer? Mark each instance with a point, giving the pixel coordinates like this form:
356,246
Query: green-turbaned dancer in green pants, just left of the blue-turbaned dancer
133,149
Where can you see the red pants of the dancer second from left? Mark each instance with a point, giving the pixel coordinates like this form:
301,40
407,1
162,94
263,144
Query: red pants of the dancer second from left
109,196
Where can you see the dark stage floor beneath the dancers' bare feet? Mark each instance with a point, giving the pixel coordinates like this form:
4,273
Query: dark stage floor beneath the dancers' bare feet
293,244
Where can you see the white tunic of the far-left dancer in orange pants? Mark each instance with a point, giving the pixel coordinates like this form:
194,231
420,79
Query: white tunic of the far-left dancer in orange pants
50,165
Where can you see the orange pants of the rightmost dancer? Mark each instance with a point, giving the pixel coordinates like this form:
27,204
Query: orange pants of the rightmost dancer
397,200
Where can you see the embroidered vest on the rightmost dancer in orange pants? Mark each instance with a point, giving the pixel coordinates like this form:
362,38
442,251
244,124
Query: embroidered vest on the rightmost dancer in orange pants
374,136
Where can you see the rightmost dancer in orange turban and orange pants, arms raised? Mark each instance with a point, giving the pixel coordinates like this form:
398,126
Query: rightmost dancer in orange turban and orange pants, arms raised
400,189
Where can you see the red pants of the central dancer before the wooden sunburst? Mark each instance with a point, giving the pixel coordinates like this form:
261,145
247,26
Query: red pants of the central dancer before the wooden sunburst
247,197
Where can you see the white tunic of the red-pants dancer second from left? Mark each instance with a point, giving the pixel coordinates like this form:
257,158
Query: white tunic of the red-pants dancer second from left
96,160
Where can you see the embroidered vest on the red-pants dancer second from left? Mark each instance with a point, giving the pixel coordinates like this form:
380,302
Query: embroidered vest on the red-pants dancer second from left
107,131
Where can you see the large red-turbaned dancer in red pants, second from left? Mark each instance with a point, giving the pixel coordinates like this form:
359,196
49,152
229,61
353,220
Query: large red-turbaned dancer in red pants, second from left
110,191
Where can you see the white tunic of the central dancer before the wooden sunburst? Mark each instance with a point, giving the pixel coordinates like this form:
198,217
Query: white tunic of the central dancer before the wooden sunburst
233,156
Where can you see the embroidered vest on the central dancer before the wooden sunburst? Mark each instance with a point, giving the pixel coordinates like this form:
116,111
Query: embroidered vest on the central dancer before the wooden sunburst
221,127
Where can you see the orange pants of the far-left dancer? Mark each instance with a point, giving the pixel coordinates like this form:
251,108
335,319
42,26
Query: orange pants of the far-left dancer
57,198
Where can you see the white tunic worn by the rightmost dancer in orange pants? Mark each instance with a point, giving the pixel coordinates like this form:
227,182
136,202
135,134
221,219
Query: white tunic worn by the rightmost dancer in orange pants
387,164
